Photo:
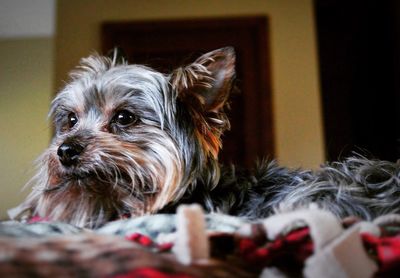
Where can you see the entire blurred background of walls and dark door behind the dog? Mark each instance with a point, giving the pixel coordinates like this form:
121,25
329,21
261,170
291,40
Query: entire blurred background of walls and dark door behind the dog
319,79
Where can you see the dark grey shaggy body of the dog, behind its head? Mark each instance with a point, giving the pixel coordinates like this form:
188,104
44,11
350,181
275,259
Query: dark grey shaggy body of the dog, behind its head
355,187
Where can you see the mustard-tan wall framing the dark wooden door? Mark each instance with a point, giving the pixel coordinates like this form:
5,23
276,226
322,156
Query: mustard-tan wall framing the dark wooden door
296,102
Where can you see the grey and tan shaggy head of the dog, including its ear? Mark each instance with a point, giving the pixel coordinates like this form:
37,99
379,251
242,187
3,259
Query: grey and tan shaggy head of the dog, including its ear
129,140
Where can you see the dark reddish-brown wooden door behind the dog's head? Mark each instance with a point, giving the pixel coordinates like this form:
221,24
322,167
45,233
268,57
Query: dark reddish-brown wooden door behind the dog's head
164,45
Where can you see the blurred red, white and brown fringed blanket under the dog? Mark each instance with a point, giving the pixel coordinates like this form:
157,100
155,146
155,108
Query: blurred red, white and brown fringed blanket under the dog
304,243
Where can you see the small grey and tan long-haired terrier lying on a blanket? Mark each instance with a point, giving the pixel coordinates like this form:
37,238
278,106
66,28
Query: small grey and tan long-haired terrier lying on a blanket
131,141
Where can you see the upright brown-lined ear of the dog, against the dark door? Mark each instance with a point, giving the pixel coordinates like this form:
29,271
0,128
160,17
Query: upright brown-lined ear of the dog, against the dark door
204,87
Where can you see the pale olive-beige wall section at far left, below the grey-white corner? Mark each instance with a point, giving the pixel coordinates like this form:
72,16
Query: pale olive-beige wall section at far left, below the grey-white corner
26,73
